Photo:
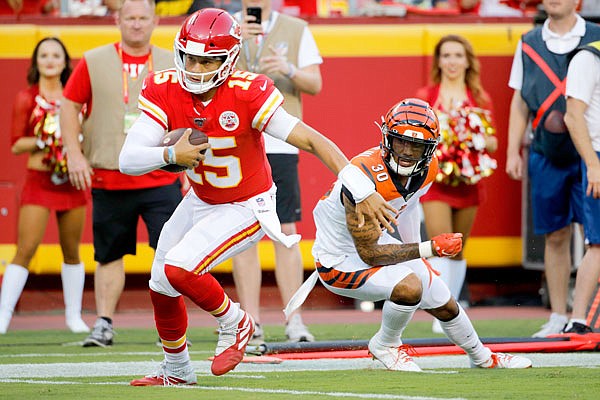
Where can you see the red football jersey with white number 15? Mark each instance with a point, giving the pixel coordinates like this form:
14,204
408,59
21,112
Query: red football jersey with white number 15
236,167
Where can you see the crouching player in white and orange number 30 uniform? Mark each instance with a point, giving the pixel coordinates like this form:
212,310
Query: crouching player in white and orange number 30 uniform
366,263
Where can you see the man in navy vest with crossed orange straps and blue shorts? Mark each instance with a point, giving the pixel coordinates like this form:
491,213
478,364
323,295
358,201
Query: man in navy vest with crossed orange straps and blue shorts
538,70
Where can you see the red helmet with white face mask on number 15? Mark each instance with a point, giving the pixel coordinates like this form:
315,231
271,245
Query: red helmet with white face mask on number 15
209,32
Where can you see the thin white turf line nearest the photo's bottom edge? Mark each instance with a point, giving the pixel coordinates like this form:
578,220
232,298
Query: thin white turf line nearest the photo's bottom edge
249,390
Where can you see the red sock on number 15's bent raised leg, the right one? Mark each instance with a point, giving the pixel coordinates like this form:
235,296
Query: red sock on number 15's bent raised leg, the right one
206,292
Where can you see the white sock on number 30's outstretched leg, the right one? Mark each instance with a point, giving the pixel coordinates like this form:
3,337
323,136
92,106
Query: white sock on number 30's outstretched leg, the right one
460,331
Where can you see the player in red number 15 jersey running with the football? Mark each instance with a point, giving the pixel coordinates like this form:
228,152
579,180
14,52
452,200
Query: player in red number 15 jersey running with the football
231,203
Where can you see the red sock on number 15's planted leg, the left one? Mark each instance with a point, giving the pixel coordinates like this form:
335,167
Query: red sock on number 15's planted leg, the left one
171,320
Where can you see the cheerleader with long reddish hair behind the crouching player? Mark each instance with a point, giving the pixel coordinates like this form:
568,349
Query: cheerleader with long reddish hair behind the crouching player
464,109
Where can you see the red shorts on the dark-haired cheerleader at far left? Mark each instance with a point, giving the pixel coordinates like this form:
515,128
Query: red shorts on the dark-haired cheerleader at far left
39,190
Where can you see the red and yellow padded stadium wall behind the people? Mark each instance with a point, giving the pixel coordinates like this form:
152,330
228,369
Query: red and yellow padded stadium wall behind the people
366,69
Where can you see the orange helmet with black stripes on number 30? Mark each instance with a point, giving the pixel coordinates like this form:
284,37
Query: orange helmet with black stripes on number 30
411,120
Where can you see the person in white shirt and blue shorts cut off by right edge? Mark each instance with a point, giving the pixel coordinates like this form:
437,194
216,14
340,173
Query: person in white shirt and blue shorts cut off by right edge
583,120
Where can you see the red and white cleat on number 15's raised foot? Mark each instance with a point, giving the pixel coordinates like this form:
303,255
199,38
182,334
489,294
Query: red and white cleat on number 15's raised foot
232,345
